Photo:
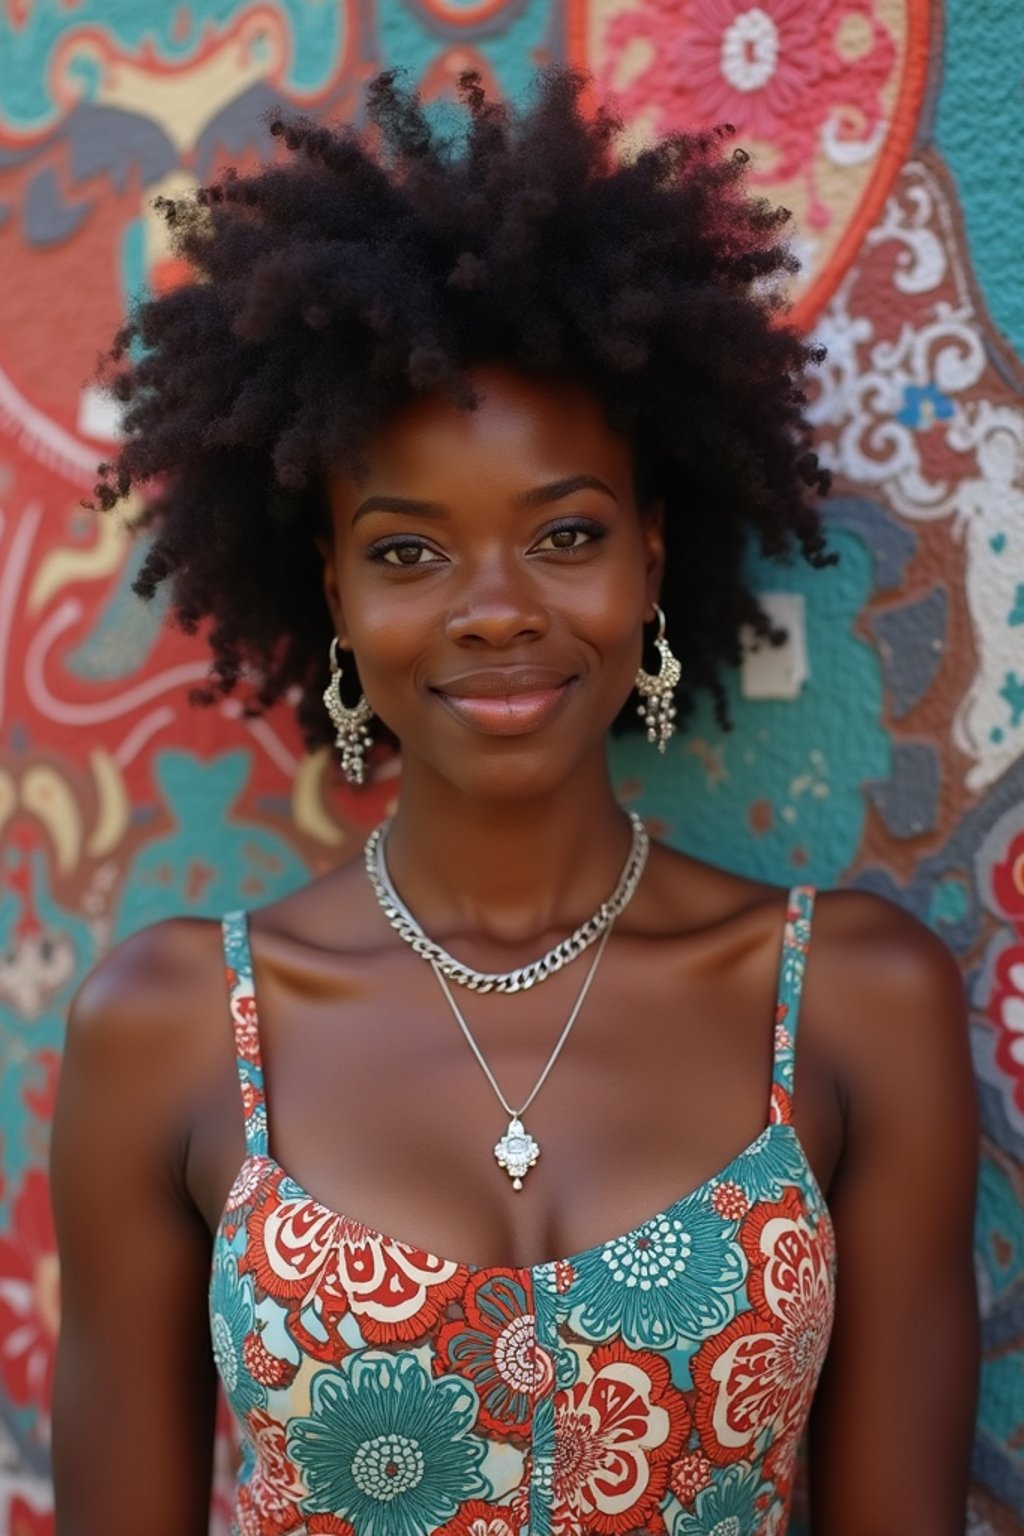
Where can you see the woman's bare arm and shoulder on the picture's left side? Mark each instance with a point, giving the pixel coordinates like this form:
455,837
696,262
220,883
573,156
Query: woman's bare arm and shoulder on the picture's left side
136,1388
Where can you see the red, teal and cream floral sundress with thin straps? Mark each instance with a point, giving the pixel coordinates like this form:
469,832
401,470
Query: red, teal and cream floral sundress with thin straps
658,1382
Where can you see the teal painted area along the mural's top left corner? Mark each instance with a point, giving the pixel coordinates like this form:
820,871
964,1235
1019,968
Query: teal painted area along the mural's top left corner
315,33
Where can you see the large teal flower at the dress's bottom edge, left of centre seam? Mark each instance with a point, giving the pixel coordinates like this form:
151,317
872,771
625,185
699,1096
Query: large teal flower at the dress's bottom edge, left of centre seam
388,1448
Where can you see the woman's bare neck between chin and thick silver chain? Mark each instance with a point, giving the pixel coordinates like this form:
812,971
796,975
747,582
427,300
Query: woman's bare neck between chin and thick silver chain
507,870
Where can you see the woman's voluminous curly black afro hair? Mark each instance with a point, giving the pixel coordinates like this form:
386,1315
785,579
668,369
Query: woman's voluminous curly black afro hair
366,266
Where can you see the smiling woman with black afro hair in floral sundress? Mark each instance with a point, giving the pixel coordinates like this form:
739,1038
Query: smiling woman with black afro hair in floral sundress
438,431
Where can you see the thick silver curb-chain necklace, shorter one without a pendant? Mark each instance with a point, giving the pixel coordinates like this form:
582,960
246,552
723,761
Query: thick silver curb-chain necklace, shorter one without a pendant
524,978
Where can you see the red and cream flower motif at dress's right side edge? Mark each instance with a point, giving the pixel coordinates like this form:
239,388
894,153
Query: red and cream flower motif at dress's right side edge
762,1369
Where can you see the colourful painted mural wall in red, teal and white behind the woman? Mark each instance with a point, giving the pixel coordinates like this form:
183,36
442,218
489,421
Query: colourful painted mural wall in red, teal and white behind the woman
893,755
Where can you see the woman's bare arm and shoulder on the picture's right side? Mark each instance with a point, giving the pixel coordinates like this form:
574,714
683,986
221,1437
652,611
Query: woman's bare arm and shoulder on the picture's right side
893,1423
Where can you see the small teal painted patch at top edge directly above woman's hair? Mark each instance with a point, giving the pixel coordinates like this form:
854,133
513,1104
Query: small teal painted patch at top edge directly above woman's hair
406,41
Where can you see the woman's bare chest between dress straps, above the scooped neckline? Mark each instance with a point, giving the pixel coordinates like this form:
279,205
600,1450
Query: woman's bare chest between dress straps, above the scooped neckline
382,1110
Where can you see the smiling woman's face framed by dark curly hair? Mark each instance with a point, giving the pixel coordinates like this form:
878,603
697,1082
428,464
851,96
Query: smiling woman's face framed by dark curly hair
492,577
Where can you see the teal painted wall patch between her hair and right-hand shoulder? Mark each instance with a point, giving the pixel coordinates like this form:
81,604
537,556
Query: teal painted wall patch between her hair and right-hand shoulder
781,796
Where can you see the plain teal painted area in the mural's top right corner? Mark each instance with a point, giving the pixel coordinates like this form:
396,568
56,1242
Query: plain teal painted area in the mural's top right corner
980,131
